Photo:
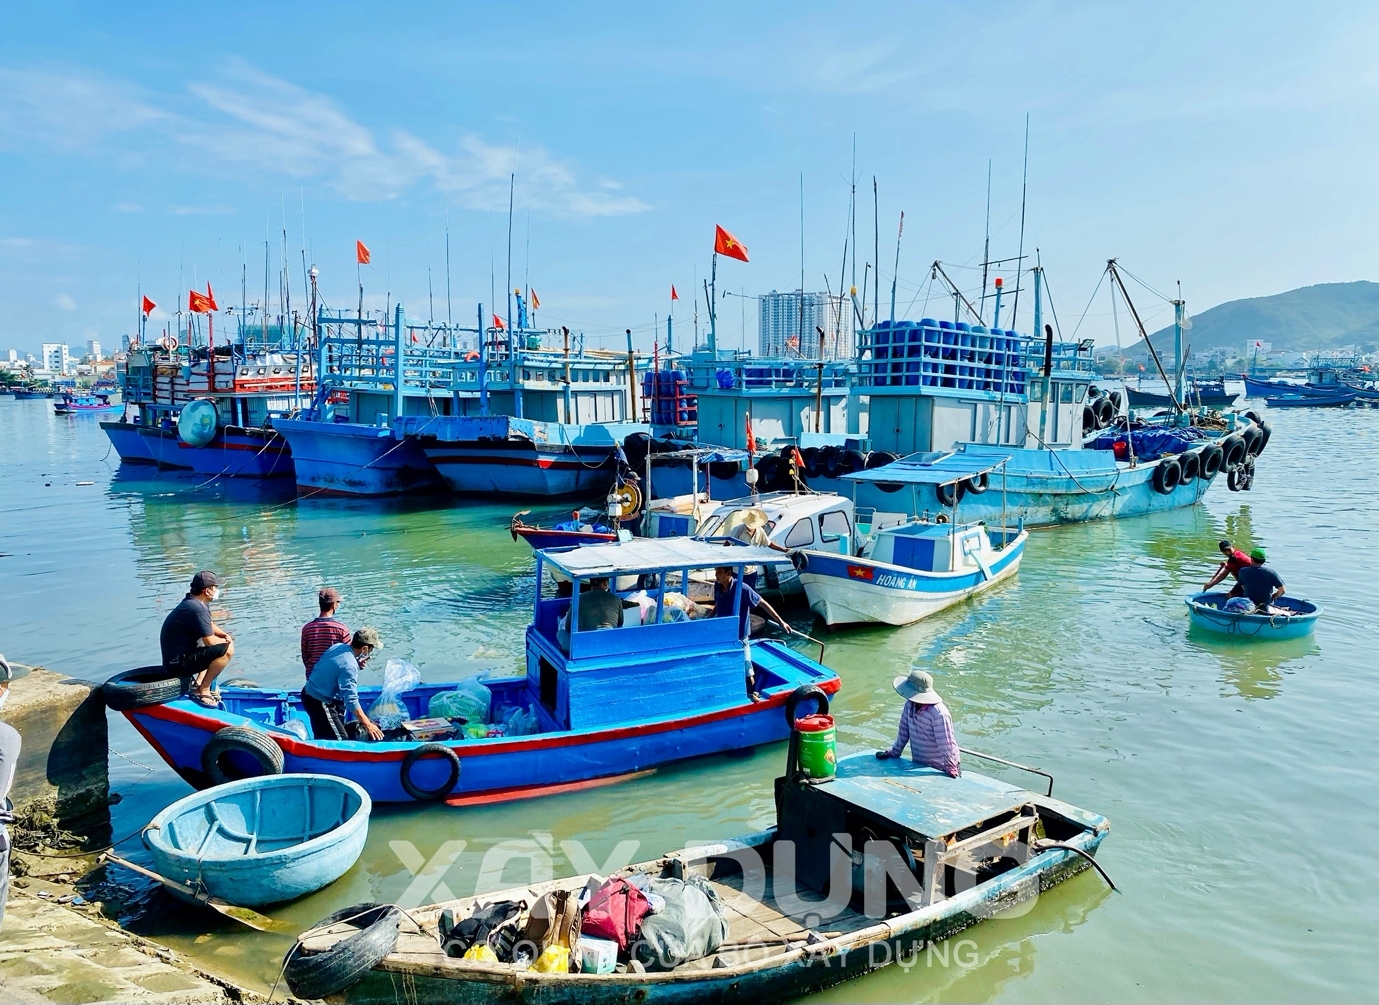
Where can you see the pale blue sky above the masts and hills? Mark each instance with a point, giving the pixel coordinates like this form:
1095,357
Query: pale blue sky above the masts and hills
1228,145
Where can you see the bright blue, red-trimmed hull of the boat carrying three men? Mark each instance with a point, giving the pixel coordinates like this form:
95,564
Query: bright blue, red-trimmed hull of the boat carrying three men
499,769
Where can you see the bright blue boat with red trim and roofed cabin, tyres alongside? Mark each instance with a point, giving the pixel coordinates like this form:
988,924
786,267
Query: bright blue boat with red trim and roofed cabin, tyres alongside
594,707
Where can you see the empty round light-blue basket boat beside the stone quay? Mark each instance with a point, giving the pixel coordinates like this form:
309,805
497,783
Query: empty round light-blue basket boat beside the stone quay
263,840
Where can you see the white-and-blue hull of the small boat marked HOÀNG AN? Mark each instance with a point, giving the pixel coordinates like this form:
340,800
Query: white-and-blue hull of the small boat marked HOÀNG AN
847,591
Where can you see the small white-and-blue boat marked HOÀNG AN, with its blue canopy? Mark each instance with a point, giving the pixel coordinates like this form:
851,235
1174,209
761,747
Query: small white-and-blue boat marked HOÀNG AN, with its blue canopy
907,571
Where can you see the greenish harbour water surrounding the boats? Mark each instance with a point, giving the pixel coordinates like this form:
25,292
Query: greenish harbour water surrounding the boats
1240,780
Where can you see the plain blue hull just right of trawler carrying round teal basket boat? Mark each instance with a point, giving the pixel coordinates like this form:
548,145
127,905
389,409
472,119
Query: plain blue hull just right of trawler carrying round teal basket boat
343,458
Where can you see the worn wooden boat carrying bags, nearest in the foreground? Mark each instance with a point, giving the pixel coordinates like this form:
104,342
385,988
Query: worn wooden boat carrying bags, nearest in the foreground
907,855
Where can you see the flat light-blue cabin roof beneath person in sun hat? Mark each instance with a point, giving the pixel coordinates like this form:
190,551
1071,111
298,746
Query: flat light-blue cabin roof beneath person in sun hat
920,799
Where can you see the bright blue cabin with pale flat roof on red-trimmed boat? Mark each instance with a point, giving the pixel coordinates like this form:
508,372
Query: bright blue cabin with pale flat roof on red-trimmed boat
664,661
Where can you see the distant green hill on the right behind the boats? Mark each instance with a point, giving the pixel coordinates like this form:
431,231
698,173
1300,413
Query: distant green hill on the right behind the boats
1312,318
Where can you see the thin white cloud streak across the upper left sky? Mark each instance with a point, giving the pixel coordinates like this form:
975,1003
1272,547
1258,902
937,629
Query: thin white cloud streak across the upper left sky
242,118
